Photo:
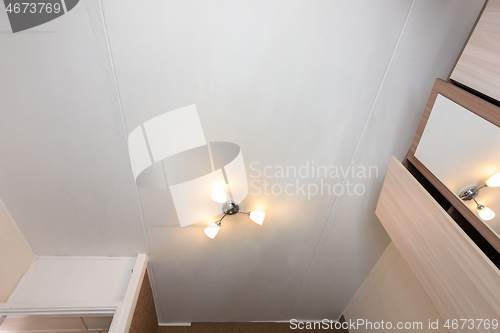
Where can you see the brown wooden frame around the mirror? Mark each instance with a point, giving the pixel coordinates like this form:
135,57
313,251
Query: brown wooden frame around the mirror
477,106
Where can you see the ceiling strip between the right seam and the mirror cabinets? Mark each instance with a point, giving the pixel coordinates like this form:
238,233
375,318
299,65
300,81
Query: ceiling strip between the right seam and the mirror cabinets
353,240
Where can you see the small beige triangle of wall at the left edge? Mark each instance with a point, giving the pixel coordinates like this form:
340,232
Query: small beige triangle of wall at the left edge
15,254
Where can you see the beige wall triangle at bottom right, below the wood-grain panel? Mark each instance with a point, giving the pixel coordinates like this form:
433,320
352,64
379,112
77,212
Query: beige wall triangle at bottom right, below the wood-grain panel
392,293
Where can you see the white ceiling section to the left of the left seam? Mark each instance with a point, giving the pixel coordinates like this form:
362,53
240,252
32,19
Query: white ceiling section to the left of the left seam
65,174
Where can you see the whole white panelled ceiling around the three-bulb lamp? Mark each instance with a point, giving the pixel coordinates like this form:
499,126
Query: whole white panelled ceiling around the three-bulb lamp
334,83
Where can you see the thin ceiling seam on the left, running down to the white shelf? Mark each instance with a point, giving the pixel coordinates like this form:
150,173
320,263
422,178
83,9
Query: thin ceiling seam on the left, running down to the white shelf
143,223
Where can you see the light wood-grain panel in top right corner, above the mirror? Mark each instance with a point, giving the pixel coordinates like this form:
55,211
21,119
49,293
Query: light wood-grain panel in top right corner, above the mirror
479,65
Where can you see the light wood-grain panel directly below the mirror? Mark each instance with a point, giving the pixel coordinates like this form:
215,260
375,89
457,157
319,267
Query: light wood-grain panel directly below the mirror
460,280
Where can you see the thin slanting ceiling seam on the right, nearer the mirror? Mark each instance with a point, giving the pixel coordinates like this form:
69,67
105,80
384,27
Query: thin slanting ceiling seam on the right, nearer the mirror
367,121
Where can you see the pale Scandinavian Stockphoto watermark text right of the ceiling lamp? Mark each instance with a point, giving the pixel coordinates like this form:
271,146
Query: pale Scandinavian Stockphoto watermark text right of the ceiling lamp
309,179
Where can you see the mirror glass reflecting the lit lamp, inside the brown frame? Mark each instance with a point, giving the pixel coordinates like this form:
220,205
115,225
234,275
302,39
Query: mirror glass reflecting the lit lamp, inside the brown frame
463,151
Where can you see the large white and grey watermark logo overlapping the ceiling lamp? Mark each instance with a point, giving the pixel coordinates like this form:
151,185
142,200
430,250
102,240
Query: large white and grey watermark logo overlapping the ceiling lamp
160,150
